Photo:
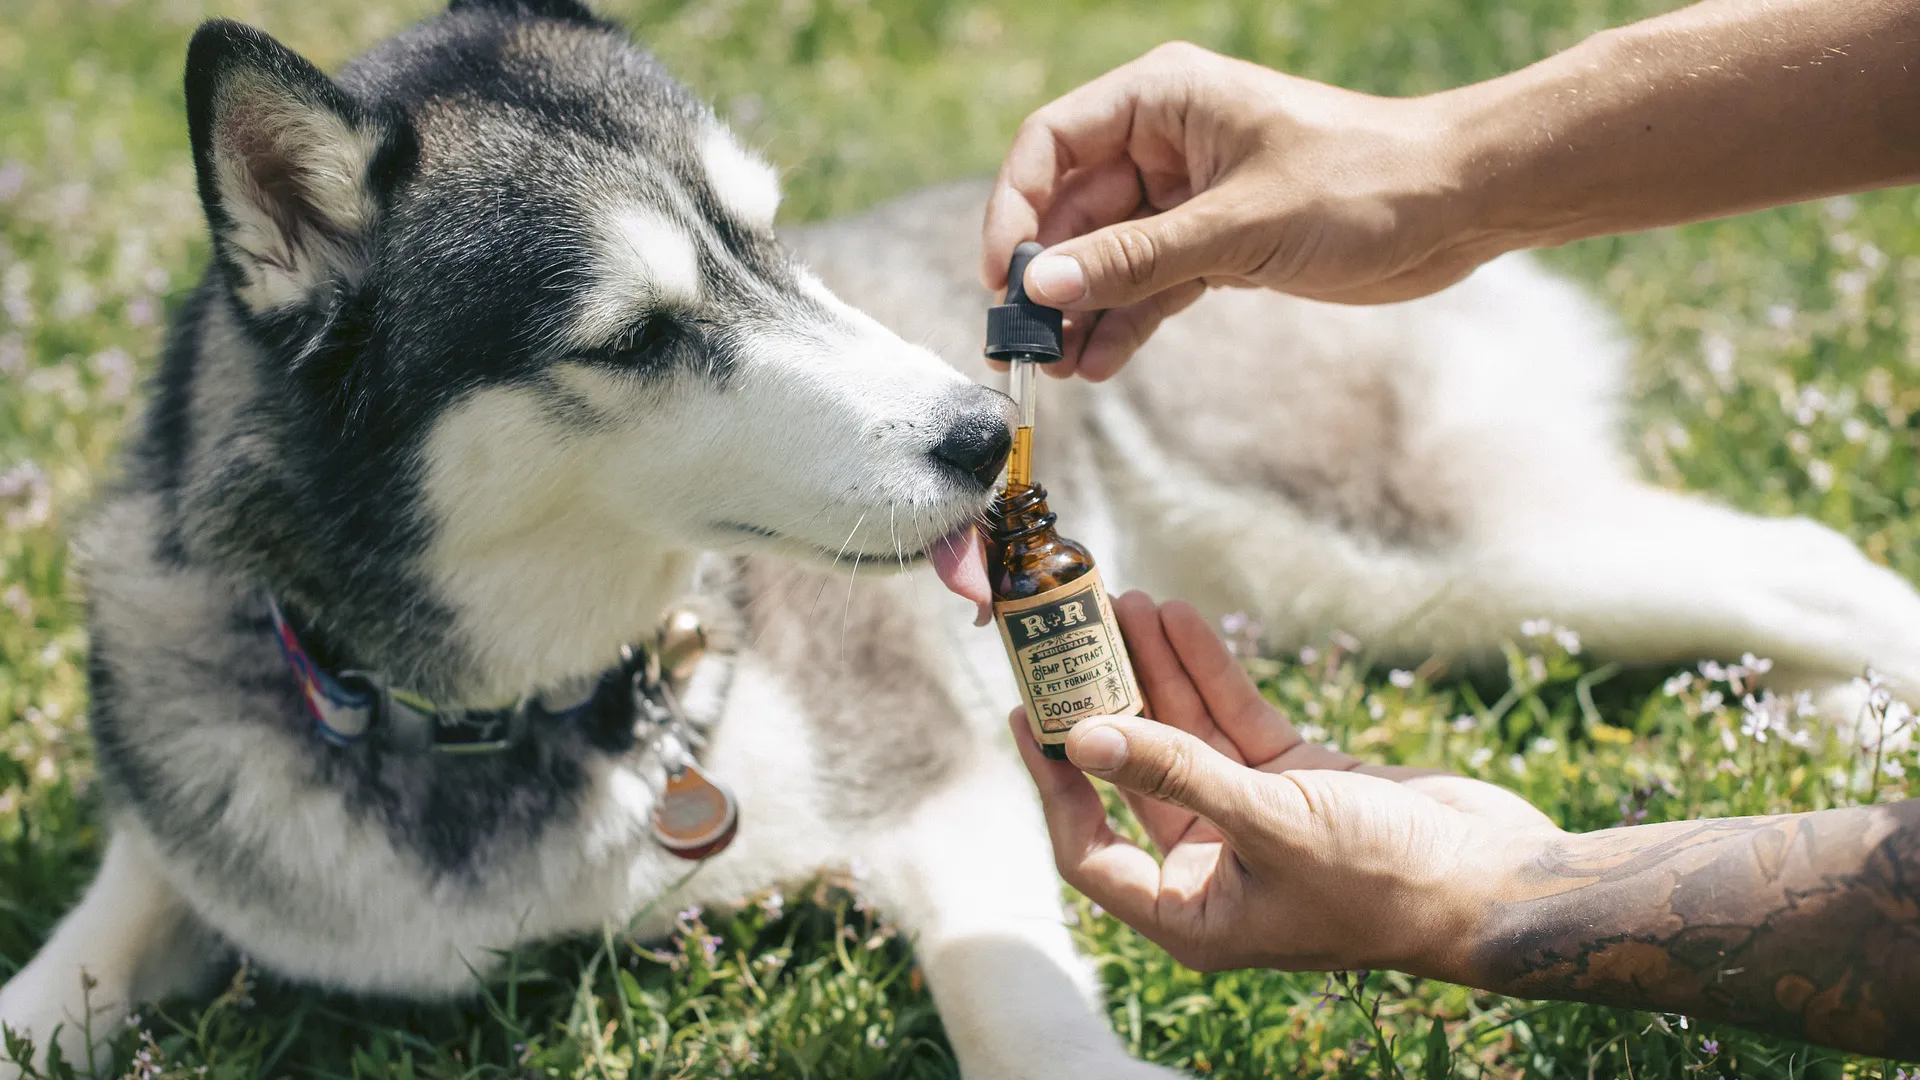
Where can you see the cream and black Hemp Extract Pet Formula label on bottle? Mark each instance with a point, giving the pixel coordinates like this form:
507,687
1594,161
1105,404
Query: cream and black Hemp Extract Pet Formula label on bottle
1068,656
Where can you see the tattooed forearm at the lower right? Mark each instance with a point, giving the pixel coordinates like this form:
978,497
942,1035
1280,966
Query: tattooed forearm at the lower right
1802,925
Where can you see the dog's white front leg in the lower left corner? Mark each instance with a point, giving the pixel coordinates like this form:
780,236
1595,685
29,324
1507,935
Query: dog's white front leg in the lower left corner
130,941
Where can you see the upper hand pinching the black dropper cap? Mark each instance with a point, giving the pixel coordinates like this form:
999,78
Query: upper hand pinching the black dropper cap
1186,170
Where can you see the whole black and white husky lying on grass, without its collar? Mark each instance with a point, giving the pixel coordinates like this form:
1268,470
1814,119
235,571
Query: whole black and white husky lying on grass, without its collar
500,356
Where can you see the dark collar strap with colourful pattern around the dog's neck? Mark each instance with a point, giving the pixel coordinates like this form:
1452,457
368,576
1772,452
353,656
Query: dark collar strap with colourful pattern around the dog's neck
350,706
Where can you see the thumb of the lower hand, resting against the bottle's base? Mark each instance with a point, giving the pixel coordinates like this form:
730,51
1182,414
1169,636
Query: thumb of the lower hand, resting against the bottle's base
1166,764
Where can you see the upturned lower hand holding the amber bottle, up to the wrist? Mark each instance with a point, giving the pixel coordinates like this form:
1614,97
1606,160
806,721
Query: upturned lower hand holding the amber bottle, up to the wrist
1274,852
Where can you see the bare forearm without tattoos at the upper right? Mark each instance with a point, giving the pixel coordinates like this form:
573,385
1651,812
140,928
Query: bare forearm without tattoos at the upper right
1710,110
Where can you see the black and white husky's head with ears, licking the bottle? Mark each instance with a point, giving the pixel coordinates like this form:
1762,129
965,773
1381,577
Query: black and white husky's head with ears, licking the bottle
531,330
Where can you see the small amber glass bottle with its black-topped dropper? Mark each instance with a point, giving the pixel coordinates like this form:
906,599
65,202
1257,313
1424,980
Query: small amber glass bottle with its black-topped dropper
1047,599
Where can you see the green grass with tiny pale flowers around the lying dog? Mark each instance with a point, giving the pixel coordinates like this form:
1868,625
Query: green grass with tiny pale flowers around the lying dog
1777,368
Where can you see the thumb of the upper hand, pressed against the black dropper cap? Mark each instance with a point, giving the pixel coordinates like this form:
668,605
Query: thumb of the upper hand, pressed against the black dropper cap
1134,260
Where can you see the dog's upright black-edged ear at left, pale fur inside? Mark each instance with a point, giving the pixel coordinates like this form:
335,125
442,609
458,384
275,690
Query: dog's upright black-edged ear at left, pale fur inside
291,168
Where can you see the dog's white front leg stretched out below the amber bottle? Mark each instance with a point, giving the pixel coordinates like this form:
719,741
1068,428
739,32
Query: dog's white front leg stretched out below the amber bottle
971,879
